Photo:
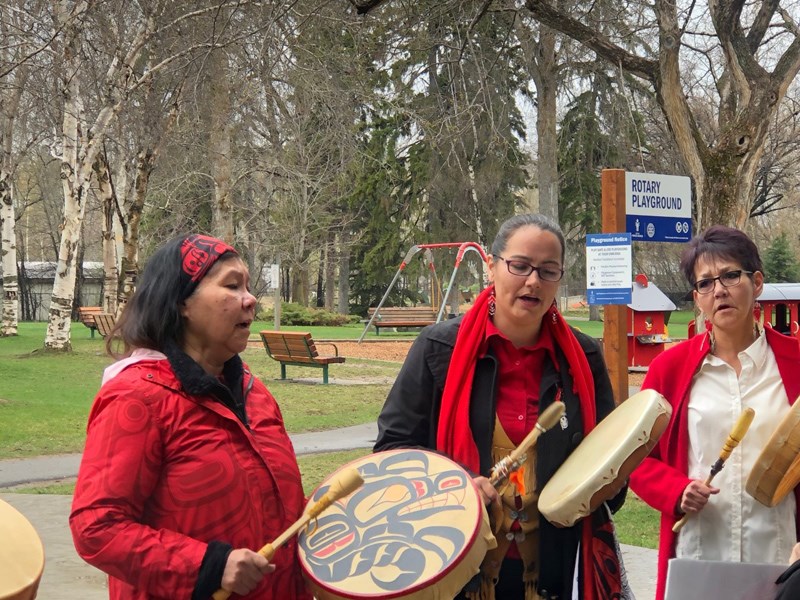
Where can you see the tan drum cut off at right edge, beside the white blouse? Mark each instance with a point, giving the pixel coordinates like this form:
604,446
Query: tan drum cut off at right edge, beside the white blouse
776,471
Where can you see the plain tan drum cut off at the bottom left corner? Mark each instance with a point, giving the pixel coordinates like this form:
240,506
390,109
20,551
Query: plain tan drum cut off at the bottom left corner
21,556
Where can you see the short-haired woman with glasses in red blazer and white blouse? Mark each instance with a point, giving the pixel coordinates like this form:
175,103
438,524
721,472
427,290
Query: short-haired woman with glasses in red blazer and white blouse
709,380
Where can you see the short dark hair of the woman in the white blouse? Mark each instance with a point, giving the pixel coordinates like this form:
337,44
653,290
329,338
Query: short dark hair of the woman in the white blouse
720,242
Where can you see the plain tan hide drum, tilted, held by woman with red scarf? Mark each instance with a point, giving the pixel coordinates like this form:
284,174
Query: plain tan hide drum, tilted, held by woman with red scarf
605,458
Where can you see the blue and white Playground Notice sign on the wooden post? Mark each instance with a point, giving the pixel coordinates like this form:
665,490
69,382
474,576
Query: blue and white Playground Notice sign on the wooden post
608,268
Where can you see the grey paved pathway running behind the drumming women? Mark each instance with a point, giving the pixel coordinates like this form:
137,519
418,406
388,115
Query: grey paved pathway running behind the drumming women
67,577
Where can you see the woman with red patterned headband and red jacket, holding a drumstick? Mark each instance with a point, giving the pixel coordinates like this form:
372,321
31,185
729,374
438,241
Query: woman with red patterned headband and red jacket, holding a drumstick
187,464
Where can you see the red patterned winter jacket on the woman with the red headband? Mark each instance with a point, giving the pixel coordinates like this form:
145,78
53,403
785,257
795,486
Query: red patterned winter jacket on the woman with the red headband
164,473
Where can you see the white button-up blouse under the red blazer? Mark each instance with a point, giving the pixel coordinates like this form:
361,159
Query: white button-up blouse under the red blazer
733,526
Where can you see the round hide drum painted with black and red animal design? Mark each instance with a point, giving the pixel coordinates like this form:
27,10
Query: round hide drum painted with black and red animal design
416,529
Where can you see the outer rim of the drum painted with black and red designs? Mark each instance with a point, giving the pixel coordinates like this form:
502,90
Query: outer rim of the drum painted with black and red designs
476,530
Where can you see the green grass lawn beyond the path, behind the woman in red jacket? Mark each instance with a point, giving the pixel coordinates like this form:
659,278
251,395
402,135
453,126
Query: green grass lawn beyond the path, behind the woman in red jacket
45,397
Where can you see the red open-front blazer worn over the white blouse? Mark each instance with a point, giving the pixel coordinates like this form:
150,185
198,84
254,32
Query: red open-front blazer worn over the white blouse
662,476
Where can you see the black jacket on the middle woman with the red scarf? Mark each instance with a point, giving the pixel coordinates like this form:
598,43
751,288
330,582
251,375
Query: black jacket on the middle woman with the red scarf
411,413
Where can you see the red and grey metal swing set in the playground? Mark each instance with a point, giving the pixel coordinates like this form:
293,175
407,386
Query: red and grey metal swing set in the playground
409,316
